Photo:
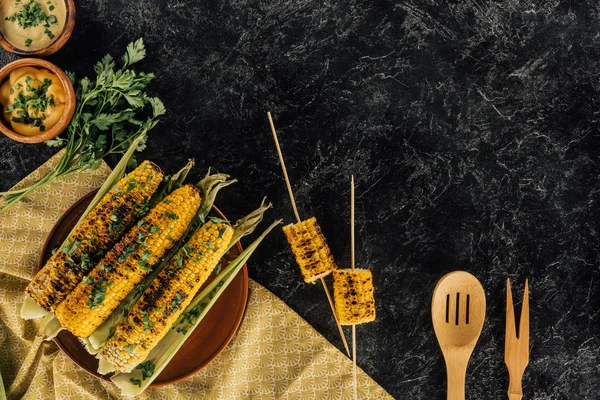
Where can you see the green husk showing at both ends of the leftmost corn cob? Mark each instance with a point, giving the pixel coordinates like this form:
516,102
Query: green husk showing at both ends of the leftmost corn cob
30,309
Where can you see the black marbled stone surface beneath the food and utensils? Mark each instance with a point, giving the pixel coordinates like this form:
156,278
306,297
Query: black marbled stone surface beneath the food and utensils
471,127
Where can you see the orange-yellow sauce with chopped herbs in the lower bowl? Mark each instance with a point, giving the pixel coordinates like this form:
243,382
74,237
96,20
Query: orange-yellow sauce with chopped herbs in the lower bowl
32,99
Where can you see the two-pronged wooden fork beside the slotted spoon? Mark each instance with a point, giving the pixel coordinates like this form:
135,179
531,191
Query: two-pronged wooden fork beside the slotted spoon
516,345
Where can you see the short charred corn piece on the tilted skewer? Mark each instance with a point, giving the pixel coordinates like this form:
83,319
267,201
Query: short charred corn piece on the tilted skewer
312,253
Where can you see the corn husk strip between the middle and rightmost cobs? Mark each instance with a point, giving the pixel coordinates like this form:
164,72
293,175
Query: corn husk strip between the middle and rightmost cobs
210,186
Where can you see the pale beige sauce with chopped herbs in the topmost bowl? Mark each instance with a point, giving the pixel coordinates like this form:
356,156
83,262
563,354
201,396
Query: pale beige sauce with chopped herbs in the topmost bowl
32,24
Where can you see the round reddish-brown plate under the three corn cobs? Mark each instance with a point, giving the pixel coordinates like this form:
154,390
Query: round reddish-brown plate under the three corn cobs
204,344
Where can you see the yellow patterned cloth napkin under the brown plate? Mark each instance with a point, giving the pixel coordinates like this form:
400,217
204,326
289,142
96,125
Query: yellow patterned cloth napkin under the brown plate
274,355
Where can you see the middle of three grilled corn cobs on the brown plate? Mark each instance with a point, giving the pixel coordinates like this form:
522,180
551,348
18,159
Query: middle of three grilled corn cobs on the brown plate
128,262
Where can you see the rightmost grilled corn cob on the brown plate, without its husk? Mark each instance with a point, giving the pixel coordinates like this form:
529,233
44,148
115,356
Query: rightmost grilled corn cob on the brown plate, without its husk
167,296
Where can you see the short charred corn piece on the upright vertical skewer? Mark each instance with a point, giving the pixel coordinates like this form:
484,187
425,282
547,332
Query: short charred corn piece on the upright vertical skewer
353,294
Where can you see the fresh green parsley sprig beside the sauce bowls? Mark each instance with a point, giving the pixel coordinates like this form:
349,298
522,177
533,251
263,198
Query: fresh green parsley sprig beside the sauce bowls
112,111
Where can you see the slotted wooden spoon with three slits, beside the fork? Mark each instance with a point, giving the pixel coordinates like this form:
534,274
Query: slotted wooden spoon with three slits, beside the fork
458,312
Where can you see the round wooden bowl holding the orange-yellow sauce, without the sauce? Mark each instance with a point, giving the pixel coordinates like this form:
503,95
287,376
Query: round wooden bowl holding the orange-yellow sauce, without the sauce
67,114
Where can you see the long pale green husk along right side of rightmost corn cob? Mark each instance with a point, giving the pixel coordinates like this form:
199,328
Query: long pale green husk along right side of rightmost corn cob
135,382
